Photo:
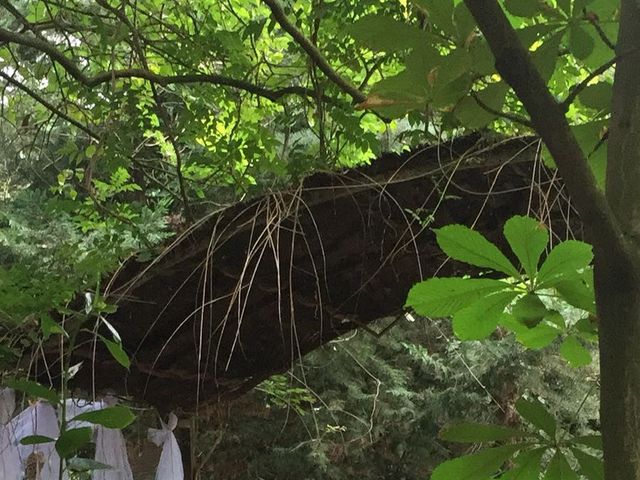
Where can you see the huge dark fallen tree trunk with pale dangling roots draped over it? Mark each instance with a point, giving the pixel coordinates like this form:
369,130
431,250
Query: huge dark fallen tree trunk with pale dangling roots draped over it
254,287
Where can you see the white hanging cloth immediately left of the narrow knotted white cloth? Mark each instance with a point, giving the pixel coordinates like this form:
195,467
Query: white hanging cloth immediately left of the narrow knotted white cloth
111,449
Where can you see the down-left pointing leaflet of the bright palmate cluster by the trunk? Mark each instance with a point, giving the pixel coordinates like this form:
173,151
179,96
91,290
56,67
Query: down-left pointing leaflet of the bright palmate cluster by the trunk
480,319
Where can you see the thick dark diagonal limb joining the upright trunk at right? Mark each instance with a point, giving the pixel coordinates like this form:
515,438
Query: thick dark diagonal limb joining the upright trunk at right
515,66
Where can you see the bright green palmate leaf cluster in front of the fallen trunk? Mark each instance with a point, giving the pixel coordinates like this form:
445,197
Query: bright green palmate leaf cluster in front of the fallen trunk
528,302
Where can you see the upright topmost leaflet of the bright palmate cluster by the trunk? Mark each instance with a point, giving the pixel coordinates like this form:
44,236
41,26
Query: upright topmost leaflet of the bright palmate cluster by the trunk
527,238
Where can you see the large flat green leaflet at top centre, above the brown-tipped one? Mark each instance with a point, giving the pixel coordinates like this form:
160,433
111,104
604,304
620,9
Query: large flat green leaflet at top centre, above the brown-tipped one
385,34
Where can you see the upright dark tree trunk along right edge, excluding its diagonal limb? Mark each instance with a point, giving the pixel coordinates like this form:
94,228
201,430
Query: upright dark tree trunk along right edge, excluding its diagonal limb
617,273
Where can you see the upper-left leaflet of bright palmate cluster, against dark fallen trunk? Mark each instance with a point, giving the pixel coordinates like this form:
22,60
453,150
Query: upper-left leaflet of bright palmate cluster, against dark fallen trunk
466,245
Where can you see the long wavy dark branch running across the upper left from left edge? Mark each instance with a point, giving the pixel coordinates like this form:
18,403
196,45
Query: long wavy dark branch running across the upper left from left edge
92,81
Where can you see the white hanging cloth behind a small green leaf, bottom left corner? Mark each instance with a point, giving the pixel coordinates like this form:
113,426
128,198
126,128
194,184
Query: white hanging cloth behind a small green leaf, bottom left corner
39,419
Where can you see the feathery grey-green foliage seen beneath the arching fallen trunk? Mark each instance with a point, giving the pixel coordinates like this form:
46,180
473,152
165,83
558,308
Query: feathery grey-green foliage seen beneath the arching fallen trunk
378,405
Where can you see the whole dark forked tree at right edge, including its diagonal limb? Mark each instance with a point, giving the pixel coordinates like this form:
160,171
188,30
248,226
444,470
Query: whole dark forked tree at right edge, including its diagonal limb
614,220
